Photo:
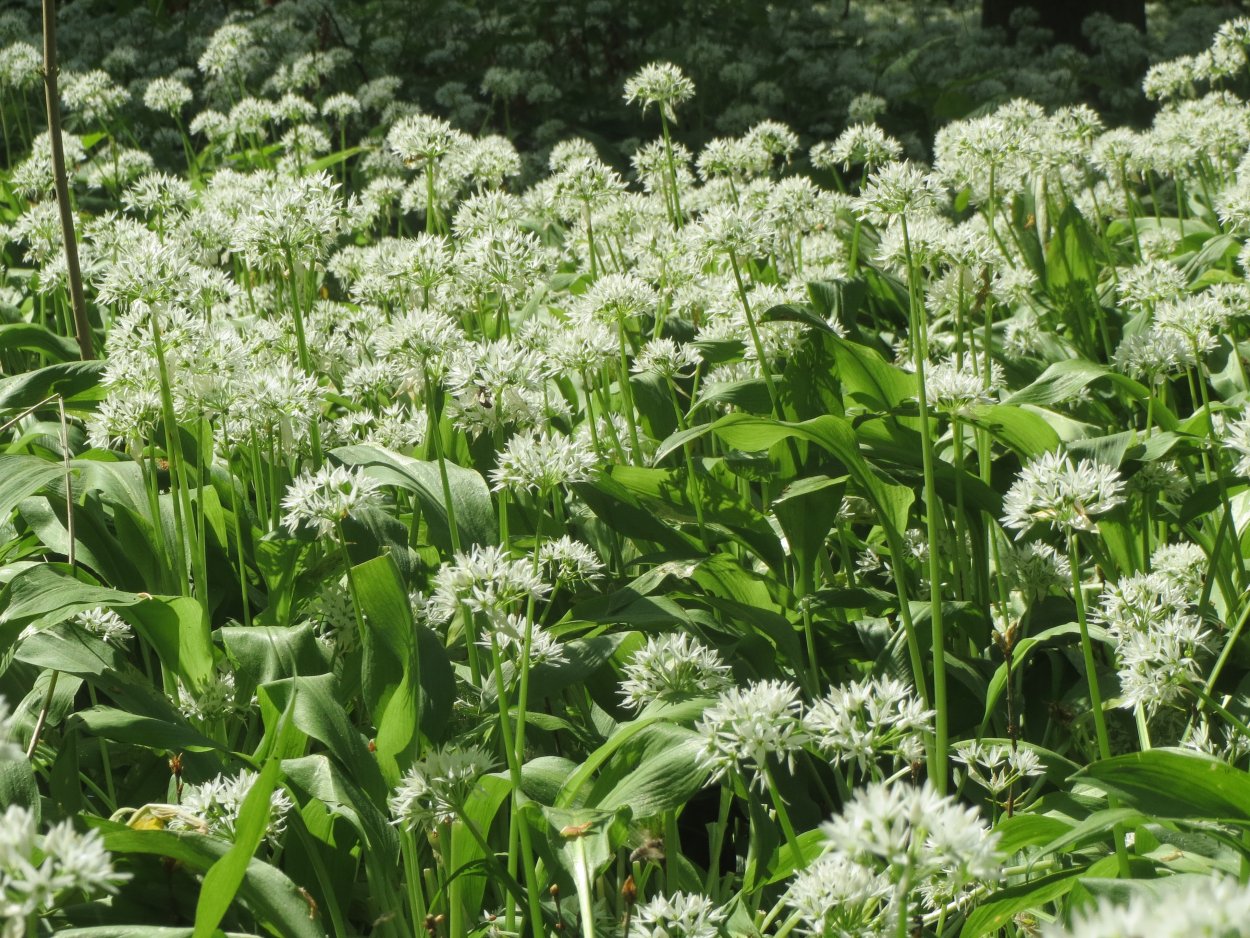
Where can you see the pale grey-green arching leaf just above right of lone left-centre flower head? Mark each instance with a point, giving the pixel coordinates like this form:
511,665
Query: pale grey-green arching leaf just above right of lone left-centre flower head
471,497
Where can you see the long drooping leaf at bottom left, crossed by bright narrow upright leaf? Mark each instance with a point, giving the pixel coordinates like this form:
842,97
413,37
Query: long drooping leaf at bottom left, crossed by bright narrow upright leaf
267,891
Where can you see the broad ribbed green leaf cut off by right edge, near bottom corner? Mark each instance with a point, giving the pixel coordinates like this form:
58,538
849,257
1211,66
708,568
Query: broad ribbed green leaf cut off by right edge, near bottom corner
1174,784
